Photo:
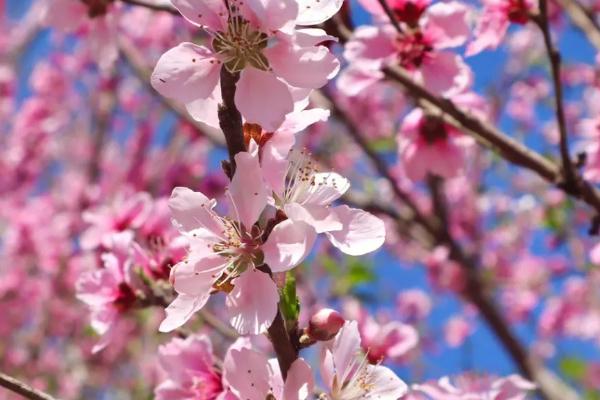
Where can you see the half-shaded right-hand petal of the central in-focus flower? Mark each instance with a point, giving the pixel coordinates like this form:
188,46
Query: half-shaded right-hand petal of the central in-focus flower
288,245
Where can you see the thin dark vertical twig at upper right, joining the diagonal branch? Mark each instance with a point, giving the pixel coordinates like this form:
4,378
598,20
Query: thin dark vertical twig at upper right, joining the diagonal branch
570,174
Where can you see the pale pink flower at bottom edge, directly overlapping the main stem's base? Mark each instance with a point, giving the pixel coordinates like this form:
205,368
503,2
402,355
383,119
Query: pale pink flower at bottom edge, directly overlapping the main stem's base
252,376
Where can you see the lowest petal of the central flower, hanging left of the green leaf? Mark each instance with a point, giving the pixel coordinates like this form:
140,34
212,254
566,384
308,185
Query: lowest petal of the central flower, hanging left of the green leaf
252,304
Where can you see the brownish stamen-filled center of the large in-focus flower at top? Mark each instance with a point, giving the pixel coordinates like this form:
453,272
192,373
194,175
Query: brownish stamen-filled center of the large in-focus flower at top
241,45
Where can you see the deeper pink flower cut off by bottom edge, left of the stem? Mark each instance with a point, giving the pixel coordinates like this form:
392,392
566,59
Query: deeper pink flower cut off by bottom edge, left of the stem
189,367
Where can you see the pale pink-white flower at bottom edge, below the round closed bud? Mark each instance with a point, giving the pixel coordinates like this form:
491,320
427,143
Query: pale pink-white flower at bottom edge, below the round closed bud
348,375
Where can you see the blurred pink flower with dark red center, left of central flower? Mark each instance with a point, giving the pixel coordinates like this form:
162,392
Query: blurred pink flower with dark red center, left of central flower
110,291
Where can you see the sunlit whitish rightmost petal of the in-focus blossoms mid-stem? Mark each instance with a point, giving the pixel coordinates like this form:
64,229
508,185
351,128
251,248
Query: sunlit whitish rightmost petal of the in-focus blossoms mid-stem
362,232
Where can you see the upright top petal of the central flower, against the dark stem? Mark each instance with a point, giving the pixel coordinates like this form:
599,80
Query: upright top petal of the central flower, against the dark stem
247,189
